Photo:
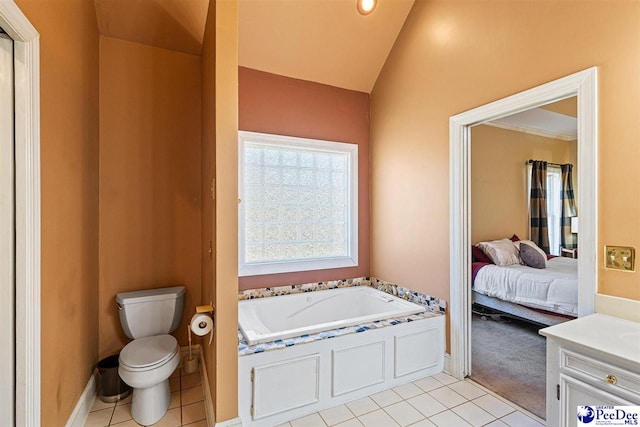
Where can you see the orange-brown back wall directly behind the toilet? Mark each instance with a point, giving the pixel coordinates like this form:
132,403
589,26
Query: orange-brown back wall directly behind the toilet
149,178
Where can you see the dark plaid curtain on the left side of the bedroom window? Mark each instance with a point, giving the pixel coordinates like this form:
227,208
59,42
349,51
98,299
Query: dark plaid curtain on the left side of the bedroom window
538,205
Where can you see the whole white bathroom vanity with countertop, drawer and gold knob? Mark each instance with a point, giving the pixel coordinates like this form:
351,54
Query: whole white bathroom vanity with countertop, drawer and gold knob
593,360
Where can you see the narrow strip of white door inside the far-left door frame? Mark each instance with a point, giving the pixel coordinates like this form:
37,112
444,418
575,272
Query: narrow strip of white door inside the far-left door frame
7,234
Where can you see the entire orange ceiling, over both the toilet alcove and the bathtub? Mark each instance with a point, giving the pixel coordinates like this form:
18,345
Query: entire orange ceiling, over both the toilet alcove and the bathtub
325,41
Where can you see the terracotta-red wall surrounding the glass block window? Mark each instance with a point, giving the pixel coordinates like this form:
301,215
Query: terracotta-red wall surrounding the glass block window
284,106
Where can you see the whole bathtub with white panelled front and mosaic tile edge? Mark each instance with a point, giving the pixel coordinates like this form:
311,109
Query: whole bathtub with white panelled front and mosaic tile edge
301,377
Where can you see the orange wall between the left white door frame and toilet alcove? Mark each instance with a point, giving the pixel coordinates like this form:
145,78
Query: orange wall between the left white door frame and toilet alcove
69,166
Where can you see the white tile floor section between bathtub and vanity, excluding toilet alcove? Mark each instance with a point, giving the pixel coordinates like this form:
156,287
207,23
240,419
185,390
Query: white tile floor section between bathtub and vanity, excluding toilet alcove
439,400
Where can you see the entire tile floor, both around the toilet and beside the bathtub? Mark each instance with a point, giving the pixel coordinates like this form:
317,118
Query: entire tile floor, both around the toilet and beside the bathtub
439,400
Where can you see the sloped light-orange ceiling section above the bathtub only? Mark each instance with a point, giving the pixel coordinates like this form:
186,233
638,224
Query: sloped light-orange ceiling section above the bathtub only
325,41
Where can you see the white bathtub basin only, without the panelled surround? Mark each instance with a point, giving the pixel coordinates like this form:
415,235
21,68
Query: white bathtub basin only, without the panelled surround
268,319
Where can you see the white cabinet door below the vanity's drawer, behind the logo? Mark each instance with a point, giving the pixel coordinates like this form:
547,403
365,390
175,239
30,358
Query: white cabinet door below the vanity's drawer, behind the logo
574,393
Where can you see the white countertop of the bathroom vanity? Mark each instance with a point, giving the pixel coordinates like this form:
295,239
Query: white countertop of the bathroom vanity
618,337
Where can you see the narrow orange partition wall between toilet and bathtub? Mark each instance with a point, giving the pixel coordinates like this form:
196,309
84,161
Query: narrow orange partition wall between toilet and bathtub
220,142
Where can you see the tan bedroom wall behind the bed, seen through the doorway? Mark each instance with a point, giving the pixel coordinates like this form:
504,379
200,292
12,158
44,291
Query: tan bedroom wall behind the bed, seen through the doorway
499,178
